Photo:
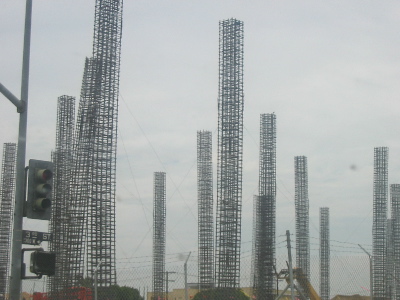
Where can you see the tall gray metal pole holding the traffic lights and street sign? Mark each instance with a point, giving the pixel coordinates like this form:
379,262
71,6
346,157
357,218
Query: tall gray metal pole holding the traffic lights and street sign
15,278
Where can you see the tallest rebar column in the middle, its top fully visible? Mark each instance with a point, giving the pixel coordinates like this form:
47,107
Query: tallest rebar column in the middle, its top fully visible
230,154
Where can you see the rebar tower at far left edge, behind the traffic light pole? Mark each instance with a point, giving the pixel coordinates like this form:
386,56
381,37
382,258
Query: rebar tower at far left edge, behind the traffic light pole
6,212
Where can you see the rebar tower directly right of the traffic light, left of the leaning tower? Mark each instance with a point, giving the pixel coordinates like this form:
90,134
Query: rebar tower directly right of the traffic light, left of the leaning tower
63,163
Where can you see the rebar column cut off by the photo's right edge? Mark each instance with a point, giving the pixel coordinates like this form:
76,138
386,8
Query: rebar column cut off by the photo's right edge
395,214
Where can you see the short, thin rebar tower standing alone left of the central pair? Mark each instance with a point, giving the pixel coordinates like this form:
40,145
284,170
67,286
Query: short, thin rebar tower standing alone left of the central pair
159,223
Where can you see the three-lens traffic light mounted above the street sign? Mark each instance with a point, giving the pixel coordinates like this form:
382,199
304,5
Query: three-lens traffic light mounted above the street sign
38,205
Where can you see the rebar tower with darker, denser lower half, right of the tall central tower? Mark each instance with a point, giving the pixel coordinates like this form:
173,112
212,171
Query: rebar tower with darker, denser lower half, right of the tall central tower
264,260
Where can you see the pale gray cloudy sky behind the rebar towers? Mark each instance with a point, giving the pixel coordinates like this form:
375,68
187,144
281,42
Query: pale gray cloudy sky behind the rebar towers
330,70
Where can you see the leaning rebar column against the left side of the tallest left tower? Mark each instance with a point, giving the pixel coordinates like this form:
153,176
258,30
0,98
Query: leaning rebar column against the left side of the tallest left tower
80,183
